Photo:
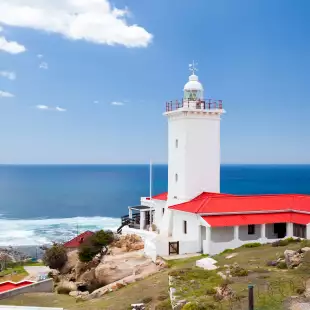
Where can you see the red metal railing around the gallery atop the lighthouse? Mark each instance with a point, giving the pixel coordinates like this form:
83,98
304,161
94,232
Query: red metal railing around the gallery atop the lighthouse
206,104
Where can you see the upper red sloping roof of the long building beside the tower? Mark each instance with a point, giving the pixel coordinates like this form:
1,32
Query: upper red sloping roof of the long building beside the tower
206,203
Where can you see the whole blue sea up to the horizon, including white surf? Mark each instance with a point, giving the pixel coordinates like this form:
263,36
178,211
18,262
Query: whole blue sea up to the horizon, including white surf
41,204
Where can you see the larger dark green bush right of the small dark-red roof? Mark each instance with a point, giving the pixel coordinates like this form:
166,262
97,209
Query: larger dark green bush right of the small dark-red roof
94,245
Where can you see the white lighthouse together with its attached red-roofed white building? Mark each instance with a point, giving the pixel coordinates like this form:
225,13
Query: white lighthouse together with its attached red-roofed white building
194,216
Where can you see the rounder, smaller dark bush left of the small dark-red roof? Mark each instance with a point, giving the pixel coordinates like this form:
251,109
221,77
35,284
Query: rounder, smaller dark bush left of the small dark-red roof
55,257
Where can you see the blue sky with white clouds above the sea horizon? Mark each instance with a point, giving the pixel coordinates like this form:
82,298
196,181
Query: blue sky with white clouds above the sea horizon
86,81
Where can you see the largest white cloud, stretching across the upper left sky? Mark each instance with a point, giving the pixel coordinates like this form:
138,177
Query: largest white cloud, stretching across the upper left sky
91,20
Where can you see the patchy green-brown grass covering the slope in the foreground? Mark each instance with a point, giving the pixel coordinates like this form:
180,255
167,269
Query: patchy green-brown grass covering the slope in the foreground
271,285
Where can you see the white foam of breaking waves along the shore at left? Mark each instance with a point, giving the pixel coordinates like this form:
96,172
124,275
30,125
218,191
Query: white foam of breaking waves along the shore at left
34,232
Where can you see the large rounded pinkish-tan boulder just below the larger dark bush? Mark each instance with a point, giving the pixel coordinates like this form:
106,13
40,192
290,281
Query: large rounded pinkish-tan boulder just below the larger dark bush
108,272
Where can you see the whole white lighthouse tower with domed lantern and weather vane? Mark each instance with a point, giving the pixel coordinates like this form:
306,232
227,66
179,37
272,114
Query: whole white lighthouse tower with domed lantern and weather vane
193,143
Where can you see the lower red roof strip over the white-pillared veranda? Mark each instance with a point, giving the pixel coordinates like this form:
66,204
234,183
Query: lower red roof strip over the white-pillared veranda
247,219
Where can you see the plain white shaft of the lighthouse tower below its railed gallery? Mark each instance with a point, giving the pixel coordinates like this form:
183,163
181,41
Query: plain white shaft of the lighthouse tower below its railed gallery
197,158
